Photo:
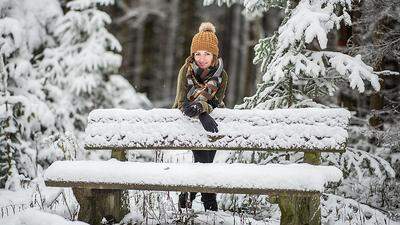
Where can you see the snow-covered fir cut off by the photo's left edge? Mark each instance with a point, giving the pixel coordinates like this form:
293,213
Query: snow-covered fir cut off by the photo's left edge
23,111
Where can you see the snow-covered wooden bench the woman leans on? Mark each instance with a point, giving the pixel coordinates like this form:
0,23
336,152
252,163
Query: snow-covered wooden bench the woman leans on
98,185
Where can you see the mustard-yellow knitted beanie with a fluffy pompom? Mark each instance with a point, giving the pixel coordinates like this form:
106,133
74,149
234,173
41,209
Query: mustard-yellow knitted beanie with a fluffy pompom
205,40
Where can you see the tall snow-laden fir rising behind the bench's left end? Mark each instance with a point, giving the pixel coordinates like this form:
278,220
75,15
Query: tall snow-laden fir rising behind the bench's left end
84,58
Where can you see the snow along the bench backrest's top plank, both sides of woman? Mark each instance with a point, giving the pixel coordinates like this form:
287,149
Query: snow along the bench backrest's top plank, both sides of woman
310,116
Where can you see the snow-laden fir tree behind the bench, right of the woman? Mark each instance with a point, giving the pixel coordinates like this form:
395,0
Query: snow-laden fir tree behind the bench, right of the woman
294,73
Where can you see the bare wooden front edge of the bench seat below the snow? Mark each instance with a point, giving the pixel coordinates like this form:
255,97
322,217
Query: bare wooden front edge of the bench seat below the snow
204,189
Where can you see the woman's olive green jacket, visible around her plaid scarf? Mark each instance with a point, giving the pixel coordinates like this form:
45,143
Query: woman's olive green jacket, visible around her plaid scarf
182,90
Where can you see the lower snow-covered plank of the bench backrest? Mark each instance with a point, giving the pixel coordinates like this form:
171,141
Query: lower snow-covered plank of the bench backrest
174,135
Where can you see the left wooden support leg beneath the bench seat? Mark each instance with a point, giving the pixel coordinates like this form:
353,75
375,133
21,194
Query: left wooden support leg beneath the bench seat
96,204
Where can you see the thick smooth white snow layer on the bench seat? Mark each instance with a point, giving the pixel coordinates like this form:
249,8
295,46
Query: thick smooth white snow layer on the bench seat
300,177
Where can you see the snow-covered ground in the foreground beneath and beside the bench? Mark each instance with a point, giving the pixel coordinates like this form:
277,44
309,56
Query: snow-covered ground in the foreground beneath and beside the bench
167,213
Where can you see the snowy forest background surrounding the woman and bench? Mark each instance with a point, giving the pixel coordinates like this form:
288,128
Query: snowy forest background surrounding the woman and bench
62,59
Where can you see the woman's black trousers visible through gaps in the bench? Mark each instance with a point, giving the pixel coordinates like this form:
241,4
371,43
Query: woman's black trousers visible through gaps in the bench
208,199
